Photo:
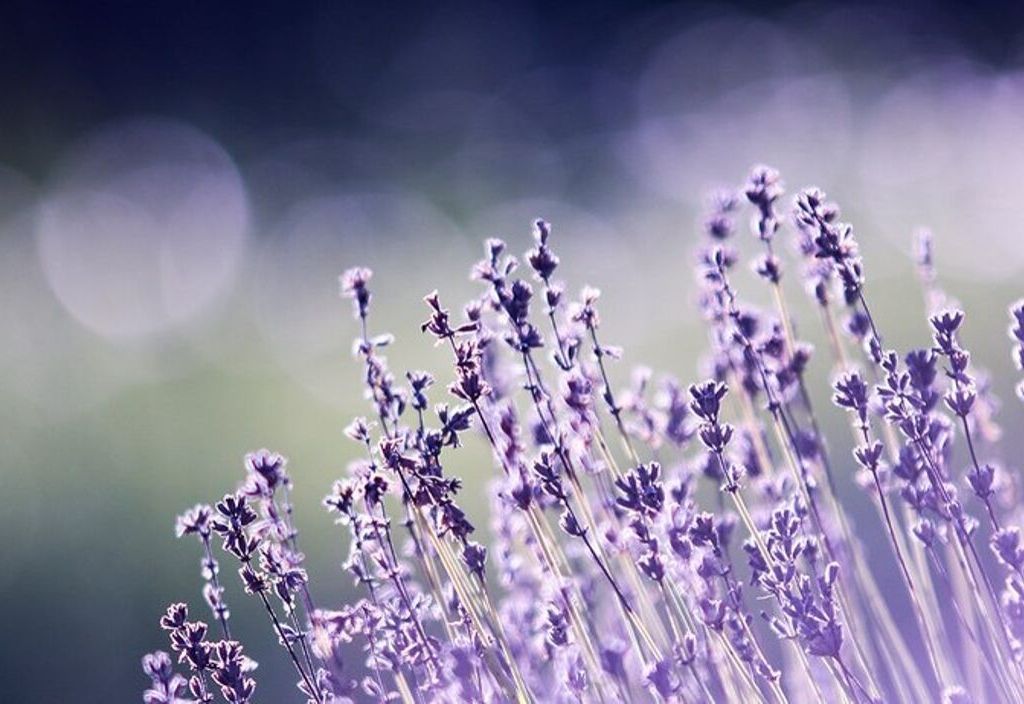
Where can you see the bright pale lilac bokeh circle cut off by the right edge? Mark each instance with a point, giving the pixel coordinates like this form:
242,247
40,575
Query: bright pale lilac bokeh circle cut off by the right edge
941,150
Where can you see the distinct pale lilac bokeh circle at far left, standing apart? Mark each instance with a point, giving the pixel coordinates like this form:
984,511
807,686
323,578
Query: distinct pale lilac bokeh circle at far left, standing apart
144,229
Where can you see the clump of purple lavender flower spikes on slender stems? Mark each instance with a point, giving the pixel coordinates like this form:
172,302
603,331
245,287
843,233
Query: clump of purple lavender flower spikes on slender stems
653,543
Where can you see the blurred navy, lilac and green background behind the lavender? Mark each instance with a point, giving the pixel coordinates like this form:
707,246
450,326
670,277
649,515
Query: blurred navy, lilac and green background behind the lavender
182,184
